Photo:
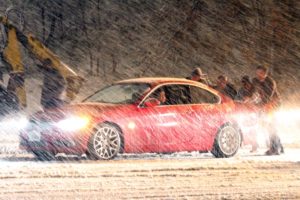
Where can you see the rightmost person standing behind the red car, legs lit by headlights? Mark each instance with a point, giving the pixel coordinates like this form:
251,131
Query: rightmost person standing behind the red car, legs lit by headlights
270,97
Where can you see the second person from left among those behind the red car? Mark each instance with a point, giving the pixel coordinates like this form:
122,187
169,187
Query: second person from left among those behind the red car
225,87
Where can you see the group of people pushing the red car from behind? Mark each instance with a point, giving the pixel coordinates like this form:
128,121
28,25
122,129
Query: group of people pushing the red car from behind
261,91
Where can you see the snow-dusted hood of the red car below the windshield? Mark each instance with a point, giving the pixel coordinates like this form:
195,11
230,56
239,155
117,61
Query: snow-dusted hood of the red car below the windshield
80,109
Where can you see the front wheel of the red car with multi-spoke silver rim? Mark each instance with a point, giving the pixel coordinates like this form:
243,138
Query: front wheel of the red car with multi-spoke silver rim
105,142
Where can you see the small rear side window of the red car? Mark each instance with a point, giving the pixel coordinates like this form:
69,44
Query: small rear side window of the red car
202,96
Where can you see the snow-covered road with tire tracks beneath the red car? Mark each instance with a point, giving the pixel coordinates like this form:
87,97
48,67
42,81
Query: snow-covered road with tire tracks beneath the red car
152,176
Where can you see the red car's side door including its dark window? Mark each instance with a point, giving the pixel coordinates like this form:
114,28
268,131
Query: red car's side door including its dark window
169,123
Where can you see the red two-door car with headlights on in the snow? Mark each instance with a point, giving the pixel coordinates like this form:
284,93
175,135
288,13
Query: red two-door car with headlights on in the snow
161,115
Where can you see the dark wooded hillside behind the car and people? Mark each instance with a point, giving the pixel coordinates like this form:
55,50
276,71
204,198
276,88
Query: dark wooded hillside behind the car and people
107,40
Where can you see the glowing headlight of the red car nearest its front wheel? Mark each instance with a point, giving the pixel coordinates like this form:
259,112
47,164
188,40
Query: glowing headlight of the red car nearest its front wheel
73,123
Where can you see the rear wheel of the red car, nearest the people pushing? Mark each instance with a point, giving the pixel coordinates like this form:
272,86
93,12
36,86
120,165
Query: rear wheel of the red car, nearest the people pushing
227,142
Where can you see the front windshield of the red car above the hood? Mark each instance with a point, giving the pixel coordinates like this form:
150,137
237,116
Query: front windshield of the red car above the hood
122,93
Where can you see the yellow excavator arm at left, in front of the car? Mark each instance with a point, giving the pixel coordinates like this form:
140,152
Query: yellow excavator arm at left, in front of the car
12,55
